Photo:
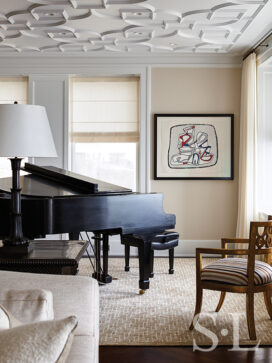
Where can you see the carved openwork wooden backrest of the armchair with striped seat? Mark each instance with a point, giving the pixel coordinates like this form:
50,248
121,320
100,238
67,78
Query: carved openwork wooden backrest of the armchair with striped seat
260,243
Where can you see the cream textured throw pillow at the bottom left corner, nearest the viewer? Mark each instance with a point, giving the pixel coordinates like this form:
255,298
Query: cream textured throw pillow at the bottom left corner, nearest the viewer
42,342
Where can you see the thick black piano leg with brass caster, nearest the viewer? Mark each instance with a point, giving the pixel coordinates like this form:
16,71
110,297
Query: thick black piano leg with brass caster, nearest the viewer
145,256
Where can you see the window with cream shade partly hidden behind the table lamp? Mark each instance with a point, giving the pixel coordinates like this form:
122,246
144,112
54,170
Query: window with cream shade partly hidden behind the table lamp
11,89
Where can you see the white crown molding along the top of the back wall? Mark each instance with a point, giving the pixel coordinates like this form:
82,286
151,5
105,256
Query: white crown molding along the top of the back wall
67,64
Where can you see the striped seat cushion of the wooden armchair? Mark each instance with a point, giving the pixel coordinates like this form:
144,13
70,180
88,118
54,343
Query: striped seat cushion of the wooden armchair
234,271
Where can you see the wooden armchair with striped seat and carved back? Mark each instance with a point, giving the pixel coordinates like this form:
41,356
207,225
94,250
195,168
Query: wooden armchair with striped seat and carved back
238,275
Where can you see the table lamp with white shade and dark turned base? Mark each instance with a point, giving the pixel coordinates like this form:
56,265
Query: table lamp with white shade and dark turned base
24,132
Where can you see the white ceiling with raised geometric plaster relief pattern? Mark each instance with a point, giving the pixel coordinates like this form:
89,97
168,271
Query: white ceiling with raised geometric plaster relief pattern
132,26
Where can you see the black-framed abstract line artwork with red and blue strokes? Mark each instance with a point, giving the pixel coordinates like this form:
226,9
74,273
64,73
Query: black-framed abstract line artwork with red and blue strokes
193,146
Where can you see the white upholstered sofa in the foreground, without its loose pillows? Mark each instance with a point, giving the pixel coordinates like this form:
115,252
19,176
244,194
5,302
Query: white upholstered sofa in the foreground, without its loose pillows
72,295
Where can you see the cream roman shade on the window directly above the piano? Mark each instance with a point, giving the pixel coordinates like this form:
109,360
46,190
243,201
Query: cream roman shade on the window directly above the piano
104,109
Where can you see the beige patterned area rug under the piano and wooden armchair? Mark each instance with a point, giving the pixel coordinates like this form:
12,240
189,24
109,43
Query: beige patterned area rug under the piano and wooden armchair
163,314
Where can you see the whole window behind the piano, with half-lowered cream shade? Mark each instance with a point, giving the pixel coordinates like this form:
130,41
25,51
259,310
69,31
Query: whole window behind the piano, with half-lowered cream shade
105,129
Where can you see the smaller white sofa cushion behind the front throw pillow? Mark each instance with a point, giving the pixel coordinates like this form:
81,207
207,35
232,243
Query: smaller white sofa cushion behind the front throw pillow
28,305
